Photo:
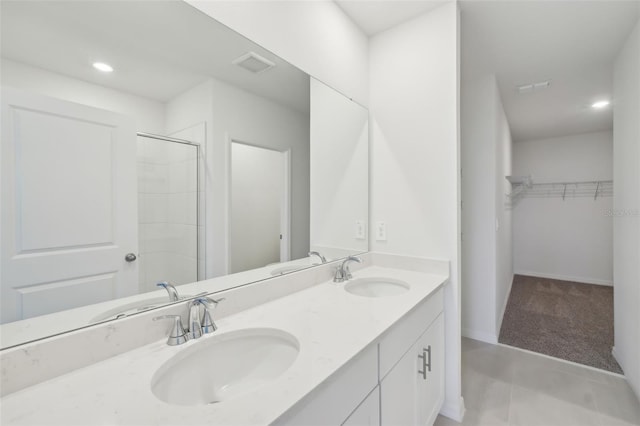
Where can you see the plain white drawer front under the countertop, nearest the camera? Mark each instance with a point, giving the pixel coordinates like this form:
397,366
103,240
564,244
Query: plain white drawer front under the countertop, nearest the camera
335,399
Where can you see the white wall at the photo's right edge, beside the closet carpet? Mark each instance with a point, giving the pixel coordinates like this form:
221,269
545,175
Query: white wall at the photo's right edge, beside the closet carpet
626,204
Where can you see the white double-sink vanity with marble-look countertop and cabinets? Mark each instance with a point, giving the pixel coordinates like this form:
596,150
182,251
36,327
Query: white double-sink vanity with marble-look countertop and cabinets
365,351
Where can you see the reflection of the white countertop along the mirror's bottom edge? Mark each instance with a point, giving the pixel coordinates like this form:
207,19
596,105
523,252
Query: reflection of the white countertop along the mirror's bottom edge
19,332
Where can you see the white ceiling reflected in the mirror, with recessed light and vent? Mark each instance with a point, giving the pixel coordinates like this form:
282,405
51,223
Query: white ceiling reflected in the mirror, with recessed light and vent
159,49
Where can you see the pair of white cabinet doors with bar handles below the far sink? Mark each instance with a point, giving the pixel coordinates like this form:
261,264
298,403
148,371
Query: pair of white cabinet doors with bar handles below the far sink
413,390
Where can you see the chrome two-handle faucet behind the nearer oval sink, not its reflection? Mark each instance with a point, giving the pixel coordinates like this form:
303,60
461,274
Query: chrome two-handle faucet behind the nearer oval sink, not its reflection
198,325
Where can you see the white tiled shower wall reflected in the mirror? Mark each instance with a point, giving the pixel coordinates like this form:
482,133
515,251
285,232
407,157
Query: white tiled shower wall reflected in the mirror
167,210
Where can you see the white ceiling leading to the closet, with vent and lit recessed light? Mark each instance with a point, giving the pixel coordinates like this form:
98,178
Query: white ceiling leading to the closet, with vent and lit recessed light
571,43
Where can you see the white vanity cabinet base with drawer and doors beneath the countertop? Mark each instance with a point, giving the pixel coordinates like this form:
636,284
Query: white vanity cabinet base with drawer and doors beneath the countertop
398,380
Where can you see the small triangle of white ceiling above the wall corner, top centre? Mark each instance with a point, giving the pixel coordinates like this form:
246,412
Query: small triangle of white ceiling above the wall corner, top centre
375,16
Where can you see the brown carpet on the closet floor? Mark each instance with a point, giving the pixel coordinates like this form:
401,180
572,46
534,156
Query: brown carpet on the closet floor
563,319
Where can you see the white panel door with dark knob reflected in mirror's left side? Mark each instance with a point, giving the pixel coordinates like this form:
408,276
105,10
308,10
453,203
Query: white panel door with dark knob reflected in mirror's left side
68,205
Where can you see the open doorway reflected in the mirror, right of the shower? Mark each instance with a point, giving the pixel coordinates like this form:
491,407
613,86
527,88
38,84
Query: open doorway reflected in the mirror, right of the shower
259,210
